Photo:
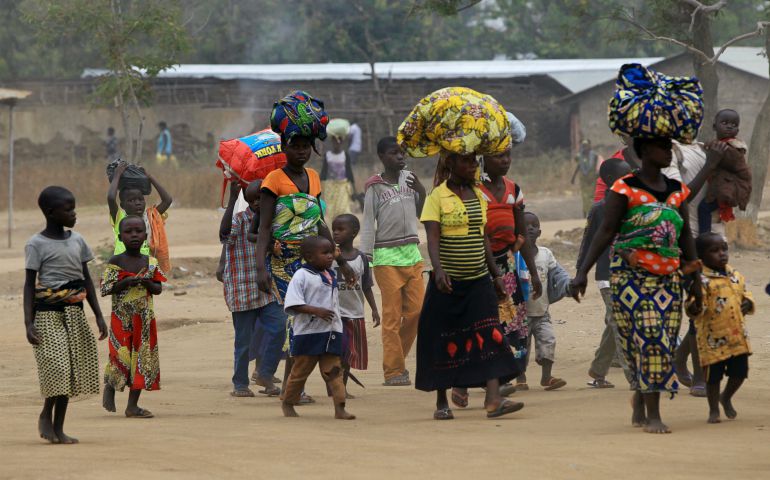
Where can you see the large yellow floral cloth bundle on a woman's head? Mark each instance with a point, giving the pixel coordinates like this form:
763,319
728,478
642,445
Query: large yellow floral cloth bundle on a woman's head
458,120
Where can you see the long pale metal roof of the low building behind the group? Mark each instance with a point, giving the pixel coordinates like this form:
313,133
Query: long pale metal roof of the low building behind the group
574,74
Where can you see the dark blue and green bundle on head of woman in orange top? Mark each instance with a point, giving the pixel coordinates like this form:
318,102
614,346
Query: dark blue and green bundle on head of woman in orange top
299,115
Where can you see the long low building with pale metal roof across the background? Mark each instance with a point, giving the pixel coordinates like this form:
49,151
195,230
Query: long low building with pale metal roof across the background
560,101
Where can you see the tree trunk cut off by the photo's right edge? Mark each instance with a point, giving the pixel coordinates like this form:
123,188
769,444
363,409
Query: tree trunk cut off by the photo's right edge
759,151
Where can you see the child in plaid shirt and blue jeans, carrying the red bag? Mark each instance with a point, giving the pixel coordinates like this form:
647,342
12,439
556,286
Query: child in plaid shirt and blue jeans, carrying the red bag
250,307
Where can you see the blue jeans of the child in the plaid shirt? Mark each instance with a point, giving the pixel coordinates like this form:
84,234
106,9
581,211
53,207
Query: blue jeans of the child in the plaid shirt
273,325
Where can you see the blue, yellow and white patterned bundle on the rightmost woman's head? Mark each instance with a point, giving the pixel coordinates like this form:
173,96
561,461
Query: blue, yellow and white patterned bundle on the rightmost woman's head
649,104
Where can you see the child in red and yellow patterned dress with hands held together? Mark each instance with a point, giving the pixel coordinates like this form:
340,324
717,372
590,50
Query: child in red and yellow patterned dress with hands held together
132,278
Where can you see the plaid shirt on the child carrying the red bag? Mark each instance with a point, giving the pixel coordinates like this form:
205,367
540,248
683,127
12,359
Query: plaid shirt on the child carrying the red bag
240,276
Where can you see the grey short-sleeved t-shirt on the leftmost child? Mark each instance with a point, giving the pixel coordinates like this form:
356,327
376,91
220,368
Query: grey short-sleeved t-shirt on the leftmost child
57,261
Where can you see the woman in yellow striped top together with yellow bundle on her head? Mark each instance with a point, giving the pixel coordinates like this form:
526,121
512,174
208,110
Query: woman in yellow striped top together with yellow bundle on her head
460,340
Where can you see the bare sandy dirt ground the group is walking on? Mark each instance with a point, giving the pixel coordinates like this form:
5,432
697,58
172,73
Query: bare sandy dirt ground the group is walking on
201,432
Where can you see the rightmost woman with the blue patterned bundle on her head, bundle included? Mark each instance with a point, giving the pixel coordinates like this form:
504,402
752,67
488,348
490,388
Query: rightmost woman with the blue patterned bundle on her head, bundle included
646,215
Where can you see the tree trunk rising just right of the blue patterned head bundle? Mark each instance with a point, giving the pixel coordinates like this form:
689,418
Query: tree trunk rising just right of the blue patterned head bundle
706,72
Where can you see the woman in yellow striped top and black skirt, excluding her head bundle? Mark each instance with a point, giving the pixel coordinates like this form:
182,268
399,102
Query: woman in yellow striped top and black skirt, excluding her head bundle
460,341
